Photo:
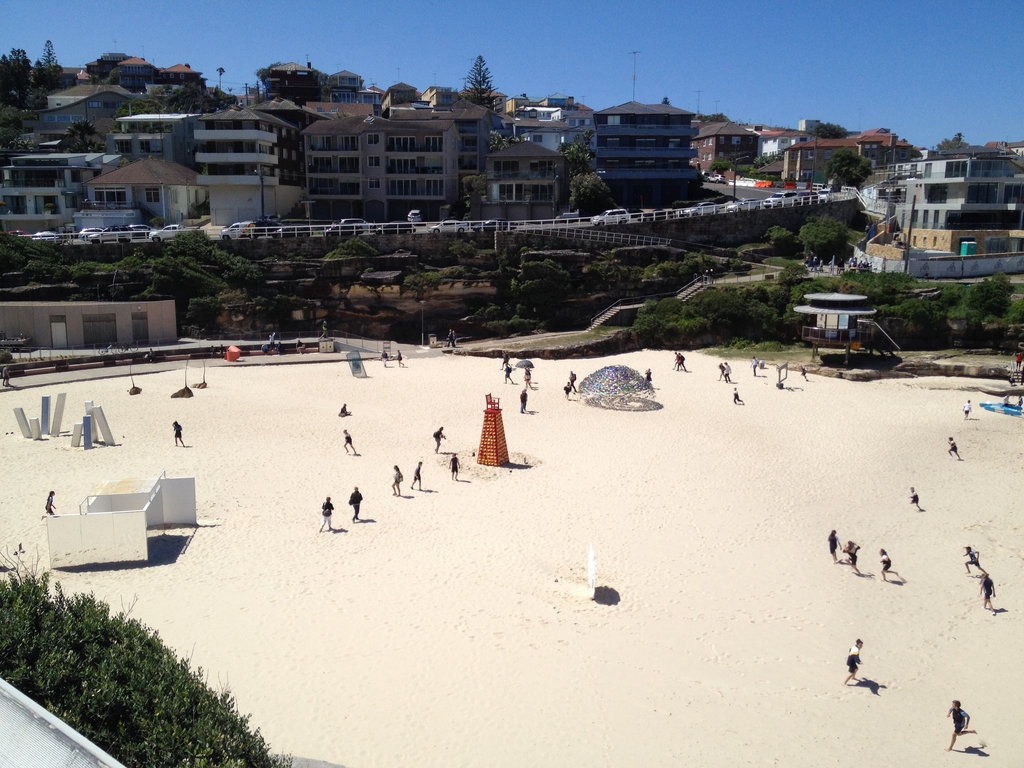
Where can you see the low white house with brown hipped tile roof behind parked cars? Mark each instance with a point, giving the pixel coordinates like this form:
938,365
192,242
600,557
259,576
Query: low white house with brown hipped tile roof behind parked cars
140,192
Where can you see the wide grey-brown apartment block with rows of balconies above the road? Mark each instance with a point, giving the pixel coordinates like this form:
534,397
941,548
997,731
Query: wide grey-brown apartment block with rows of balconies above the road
380,169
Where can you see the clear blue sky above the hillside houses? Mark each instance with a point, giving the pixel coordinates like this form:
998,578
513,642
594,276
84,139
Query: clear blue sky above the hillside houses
923,69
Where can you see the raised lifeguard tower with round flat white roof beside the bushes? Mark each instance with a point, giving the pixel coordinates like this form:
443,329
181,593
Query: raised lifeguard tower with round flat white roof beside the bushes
842,321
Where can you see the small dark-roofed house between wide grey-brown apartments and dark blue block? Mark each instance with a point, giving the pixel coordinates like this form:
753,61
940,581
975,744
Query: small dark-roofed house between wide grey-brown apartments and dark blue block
525,182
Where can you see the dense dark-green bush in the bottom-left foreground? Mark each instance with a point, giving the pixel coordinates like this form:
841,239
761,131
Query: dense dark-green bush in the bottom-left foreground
114,681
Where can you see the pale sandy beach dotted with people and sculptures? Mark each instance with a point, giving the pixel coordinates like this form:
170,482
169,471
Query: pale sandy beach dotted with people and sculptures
456,629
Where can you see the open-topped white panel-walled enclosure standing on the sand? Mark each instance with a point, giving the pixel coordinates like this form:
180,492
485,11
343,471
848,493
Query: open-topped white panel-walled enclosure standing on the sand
112,524
